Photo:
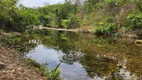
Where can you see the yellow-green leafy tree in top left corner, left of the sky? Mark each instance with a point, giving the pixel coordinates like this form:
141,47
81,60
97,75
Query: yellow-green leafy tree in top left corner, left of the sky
8,11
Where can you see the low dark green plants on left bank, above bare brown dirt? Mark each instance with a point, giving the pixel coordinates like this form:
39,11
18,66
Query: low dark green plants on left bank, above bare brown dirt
13,41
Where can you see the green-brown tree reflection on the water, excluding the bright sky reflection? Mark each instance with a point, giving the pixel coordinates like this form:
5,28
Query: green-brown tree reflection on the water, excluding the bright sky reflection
99,56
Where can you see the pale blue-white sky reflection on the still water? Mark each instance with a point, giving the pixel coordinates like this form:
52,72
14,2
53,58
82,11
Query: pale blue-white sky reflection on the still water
53,57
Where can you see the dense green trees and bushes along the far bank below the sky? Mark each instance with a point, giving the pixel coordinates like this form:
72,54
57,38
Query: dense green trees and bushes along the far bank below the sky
104,16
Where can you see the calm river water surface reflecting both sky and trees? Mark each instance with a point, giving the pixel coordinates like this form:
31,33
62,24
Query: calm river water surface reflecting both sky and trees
86,57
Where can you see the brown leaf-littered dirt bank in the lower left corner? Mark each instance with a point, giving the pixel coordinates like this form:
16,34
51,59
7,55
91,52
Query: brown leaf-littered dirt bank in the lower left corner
15,68
